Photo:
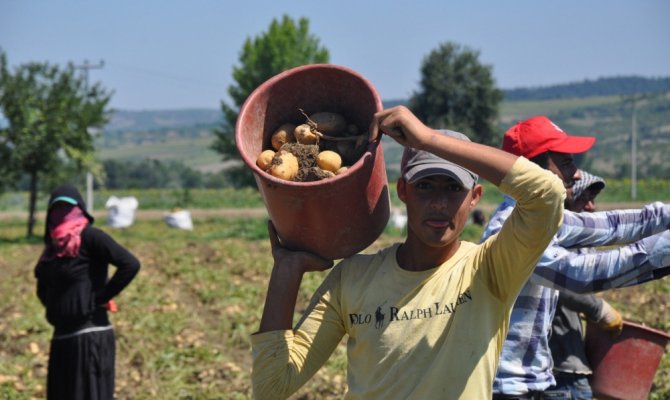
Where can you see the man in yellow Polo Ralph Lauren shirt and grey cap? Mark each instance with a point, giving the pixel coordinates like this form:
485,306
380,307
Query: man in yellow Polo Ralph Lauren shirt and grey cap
425,318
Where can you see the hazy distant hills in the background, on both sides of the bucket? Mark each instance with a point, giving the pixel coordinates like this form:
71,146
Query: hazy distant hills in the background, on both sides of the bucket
592,107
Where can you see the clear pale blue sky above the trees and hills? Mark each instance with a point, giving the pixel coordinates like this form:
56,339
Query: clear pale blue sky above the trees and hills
165,54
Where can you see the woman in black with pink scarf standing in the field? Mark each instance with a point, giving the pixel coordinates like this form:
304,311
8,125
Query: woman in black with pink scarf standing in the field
73,286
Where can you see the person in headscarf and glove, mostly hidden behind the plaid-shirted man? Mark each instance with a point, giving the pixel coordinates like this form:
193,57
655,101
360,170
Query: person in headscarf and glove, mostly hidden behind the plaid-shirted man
571,367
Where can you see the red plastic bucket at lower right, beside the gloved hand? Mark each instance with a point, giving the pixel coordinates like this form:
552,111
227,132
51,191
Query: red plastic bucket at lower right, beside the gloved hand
624,366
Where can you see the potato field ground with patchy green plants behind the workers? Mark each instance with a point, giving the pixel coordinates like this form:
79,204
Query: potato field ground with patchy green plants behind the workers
184,323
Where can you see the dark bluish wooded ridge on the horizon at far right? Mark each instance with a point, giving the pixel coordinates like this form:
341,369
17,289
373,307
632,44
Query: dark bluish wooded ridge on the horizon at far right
616,86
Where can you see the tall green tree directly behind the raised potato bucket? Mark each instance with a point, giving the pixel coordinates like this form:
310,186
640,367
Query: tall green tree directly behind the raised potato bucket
284,46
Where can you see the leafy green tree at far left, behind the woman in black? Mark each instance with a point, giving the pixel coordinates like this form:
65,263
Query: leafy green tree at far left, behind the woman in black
49,112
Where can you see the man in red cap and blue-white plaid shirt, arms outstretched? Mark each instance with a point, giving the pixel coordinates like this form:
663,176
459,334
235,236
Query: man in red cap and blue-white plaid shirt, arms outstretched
525,369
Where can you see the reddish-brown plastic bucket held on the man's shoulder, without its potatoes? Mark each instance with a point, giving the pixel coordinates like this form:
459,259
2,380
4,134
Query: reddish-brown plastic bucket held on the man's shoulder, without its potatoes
334,217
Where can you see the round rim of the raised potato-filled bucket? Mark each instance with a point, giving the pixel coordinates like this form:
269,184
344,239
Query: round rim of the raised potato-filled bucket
371,151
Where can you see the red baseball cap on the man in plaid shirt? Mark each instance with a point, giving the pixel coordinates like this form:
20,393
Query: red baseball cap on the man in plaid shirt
538,135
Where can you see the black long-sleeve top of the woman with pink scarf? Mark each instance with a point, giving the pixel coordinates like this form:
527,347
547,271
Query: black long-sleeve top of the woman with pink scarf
75,290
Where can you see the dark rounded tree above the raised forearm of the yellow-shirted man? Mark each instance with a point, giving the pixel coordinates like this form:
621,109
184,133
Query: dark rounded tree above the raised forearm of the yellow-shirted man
458,92
